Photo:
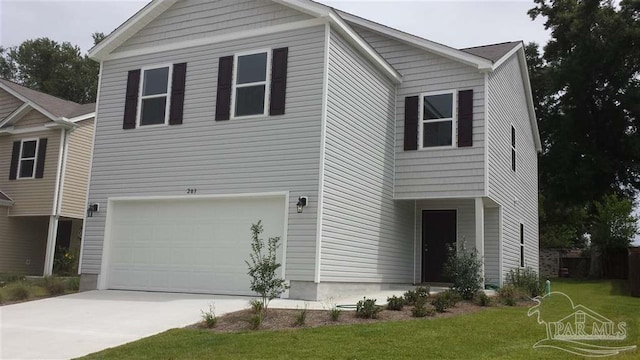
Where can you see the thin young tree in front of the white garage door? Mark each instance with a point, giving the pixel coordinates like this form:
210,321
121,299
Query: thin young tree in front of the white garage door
263,267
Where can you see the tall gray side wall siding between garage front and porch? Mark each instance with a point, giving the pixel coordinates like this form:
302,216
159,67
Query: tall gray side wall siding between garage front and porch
366,235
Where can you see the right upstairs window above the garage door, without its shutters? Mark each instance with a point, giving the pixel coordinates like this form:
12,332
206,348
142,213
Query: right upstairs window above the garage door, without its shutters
251,84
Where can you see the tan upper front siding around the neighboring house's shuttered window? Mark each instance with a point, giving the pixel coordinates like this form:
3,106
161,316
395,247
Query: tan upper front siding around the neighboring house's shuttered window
31,196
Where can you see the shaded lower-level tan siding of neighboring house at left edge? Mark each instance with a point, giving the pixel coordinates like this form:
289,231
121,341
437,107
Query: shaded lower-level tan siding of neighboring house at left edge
22,243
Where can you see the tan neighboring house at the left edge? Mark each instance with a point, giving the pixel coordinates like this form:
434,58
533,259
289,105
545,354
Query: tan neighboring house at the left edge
45,153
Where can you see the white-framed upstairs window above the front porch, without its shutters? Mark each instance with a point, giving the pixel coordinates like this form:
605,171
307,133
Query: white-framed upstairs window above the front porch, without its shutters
437,114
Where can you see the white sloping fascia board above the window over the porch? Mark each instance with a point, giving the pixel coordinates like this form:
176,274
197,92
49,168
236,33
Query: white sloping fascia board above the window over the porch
439,49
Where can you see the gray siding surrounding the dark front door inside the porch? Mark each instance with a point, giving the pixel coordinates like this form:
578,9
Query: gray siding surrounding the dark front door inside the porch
465,225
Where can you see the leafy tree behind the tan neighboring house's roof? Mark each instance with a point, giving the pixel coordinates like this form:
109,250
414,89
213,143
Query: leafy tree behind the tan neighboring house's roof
56,69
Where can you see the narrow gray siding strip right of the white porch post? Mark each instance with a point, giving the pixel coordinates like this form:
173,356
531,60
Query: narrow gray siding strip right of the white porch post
492,245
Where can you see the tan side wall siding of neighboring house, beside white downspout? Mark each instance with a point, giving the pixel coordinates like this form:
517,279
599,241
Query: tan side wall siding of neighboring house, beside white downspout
75,180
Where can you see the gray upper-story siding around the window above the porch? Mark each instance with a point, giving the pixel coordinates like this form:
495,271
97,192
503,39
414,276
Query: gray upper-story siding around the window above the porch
453,172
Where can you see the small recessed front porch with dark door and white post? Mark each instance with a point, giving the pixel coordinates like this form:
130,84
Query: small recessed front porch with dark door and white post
474,223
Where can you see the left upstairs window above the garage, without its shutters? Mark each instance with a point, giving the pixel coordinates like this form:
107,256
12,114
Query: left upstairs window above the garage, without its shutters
154,96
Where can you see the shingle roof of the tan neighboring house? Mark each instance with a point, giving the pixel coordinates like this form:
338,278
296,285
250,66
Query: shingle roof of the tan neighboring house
56,106
